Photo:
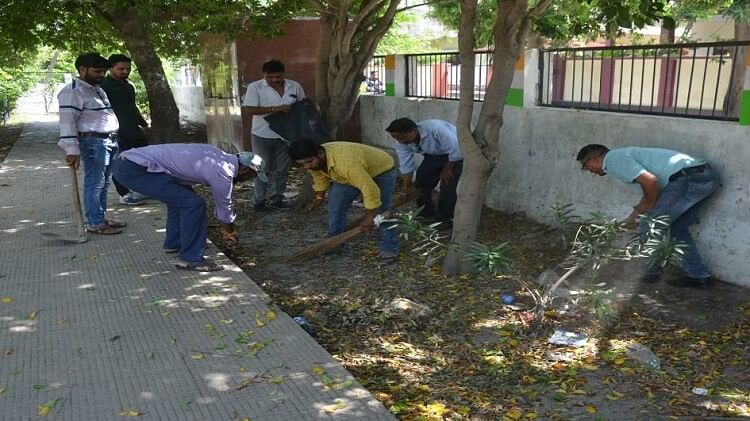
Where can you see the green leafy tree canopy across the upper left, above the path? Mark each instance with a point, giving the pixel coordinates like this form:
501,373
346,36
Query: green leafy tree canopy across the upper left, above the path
174,25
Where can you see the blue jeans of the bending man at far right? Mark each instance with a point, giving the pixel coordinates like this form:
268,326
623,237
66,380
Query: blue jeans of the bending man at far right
681,200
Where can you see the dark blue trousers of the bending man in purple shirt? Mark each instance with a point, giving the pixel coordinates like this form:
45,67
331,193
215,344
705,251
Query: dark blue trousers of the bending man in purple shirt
186,210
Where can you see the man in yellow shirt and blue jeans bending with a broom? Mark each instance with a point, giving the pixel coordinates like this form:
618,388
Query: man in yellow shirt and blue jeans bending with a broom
345,169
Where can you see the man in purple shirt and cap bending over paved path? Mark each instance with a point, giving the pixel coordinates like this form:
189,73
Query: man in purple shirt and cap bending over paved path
167,172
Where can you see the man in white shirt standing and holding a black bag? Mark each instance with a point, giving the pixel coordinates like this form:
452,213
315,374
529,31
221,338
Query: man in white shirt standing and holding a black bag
273,93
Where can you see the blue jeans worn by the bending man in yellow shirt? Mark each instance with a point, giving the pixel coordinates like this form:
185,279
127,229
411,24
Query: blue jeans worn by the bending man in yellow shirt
340,199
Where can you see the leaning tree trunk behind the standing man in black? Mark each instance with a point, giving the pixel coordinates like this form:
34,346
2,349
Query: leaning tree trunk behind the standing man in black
165,116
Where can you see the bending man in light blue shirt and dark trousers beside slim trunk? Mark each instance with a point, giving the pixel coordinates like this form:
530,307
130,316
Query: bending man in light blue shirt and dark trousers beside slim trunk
437,141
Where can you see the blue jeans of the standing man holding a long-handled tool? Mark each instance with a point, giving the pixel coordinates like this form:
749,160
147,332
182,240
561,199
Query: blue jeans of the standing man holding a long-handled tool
97,156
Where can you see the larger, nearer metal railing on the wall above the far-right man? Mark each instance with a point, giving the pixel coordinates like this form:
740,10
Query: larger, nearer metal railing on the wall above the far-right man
681,80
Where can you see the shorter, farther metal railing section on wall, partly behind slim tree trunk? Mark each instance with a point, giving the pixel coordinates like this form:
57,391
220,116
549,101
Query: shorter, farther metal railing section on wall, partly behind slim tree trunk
438,75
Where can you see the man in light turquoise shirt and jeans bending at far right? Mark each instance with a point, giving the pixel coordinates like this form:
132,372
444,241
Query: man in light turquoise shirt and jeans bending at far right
673,184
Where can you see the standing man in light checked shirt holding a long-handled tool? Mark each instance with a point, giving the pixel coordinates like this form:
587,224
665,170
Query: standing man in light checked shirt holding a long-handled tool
88,133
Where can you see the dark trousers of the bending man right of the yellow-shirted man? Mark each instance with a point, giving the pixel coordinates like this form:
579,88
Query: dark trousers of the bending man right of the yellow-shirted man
428,177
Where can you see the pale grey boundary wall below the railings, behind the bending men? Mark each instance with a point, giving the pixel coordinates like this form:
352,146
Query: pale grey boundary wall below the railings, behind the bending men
537,166
